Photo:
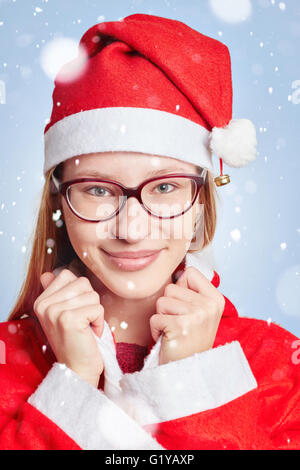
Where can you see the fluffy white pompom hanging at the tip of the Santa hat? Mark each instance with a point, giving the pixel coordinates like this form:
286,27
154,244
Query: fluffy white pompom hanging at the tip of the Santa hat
235,143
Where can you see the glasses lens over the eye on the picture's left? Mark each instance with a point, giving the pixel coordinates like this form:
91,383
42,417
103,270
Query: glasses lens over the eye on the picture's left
93,200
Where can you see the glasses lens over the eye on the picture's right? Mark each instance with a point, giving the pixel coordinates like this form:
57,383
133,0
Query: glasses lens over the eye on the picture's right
169,196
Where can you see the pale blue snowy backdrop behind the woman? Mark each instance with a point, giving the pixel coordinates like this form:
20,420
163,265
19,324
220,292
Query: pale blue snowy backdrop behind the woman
260,267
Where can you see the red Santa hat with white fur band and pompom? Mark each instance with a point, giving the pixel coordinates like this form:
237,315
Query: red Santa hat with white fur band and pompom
152,85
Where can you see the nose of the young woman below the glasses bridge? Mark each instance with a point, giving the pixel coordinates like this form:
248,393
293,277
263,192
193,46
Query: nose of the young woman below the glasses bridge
132,223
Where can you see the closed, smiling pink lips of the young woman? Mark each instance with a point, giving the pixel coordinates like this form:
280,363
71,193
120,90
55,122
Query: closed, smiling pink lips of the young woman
133,261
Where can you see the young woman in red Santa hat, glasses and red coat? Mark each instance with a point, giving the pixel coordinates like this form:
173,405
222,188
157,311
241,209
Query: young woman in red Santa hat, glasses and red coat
120,338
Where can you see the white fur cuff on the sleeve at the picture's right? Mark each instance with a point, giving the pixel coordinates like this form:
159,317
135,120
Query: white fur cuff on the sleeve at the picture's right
191,385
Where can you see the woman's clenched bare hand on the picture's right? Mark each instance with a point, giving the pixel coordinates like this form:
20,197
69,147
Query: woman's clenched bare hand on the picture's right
188,316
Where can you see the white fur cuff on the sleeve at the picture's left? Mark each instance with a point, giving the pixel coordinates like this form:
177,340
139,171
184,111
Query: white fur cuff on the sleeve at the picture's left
85,414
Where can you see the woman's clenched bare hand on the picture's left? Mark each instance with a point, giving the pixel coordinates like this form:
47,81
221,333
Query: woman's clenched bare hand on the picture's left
68,310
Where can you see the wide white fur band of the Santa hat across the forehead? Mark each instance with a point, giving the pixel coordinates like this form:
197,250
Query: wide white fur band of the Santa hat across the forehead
129,129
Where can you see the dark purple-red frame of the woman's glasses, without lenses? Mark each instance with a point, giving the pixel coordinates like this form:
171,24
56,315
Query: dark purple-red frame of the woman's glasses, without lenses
62,187
